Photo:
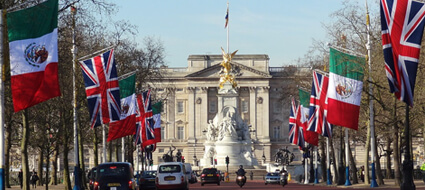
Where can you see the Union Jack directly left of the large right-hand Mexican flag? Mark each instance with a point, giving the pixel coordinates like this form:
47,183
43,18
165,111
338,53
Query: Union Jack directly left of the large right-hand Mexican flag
318,106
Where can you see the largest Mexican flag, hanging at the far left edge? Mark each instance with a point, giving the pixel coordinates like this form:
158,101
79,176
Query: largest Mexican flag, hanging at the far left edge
33,41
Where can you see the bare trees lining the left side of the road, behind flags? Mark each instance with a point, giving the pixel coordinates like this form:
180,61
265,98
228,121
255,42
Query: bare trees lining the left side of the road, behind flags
46,129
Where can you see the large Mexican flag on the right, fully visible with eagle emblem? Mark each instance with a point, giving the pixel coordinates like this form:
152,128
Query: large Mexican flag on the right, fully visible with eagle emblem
345,89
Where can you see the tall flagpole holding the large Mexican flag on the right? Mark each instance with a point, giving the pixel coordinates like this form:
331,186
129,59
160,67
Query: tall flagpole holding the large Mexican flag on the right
371,112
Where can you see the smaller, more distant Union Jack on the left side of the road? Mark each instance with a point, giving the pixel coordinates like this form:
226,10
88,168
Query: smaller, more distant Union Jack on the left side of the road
144,120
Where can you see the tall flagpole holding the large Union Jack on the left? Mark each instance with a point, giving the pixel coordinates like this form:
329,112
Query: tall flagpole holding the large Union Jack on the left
74,62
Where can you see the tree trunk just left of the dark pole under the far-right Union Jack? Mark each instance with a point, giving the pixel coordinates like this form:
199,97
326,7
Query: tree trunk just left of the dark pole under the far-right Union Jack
396,148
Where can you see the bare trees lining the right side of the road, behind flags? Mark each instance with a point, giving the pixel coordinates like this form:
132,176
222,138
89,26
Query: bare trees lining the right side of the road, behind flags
348,29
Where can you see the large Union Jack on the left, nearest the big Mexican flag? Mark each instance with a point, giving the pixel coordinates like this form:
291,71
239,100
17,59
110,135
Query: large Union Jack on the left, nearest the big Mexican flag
102,89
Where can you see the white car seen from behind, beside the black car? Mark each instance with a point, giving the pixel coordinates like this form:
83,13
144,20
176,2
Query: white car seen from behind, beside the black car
171,175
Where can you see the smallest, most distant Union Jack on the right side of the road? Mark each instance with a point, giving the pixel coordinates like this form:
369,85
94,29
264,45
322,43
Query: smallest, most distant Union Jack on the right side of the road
296,135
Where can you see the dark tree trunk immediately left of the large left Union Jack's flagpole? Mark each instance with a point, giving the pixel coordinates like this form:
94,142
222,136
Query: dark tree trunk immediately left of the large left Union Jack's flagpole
66,136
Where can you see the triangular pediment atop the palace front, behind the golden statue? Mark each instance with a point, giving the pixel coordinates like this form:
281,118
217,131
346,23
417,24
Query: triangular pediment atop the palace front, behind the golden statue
240,71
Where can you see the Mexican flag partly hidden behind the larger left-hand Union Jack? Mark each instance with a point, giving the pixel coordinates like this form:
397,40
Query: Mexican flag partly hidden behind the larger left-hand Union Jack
127,123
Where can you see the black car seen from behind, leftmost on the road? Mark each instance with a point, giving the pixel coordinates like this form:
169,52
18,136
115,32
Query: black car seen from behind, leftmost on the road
114,176
